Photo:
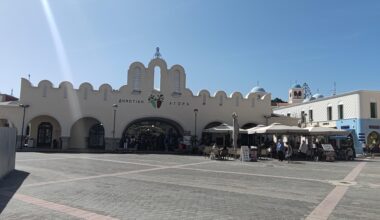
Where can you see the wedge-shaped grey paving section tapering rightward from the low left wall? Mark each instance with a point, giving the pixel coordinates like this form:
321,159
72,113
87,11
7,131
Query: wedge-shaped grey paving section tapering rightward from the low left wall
52,170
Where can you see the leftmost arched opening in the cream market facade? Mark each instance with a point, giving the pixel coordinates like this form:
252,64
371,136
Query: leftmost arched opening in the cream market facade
43,131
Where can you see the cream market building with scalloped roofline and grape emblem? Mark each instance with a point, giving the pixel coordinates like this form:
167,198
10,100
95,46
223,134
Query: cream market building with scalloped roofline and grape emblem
137,114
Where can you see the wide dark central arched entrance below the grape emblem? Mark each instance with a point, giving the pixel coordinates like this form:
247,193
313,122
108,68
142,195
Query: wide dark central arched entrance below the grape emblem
152,134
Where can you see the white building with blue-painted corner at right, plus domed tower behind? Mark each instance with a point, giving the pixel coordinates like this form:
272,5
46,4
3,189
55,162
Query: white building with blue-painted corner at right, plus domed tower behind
356,110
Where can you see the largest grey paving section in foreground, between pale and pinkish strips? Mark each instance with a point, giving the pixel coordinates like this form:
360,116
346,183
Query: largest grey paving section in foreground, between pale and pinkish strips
135,199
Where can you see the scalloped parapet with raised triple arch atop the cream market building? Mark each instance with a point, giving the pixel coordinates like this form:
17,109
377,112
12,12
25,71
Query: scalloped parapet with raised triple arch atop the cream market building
140,82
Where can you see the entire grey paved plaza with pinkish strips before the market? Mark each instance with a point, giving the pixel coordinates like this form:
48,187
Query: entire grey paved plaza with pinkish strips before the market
158,186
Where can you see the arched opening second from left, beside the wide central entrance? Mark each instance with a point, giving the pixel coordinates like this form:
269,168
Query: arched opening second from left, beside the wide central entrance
87,132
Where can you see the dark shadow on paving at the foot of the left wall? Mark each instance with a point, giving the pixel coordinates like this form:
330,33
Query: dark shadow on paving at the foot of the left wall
9,186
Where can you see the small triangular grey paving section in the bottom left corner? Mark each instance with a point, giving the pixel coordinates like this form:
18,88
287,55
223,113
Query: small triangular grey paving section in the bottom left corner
17,210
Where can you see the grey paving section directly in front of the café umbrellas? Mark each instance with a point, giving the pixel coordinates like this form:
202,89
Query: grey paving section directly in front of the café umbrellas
279,169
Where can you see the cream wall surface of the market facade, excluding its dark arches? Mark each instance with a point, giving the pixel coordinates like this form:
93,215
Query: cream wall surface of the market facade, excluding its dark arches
68,105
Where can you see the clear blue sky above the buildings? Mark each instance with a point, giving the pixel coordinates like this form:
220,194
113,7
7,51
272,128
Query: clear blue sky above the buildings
223,45
